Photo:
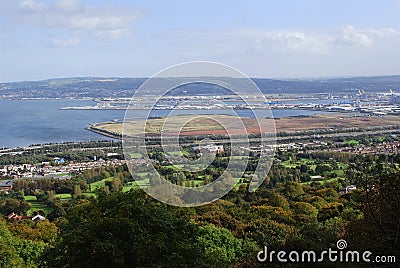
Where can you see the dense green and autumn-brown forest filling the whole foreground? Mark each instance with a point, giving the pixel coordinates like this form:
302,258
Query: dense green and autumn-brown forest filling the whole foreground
115,226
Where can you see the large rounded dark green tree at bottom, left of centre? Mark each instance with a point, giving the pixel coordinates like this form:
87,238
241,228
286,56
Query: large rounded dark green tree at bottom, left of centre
125,230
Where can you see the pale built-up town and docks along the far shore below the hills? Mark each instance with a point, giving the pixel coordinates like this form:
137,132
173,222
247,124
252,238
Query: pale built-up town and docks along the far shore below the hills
379,104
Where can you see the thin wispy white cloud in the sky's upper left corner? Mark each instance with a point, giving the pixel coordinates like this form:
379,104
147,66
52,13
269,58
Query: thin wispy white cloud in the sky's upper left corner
75,18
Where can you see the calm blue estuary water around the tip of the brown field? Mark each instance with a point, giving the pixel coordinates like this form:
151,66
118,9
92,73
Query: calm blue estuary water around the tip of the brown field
27,122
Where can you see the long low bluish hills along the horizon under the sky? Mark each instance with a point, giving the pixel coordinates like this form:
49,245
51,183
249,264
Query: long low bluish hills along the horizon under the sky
100,87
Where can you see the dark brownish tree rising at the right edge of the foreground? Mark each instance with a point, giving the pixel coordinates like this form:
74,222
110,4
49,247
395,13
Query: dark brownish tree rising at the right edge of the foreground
378,229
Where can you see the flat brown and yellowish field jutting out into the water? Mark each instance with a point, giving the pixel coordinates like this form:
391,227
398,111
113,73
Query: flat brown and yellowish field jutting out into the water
222,124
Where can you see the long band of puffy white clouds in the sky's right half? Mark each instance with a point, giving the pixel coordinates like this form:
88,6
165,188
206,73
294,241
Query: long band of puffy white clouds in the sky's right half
278,42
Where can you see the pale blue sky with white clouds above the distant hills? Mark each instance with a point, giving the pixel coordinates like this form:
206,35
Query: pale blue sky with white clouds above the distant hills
42,39
